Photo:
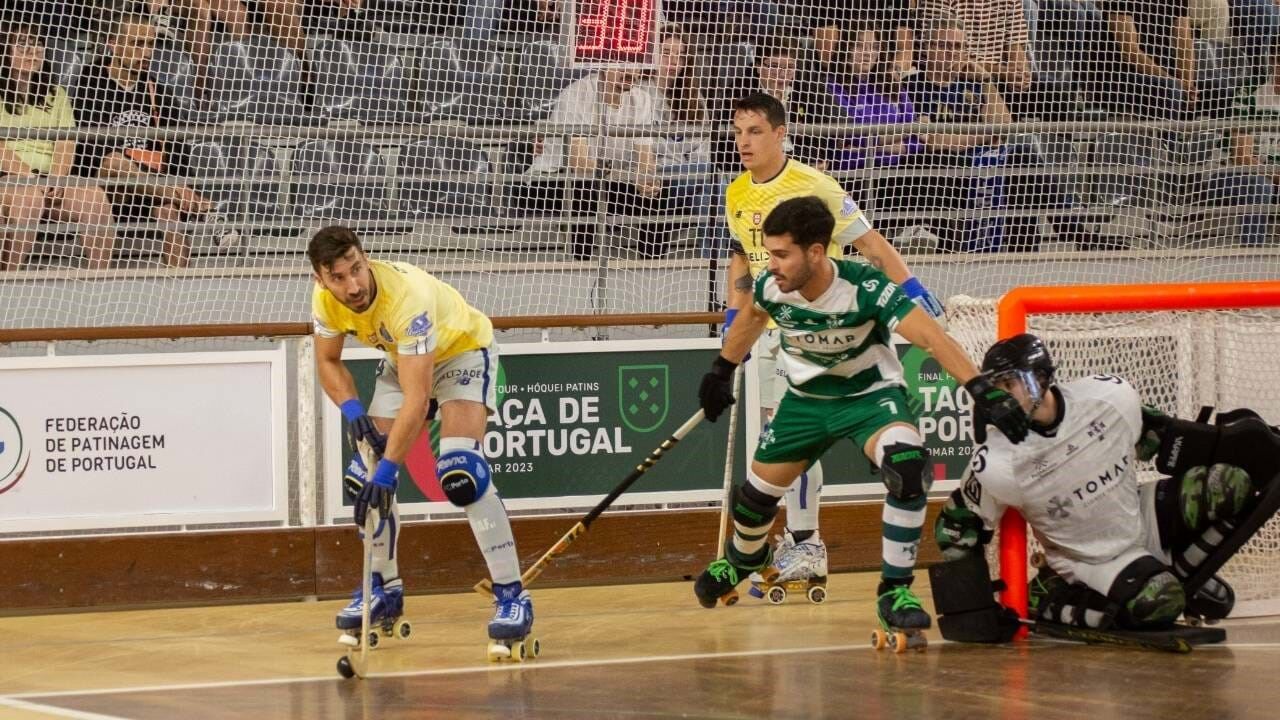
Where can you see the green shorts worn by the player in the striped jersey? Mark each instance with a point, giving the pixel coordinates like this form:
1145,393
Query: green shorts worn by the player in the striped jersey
806,429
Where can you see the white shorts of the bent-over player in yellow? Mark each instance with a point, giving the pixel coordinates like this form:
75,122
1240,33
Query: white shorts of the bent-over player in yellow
470,376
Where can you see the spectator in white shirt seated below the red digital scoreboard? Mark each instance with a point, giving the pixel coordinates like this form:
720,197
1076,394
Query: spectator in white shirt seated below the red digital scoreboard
621,171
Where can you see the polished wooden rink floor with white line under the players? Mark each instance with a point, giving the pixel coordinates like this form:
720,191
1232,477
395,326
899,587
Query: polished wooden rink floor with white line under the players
639,651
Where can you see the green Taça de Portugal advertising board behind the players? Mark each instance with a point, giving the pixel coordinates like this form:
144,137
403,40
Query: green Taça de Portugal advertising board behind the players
574,420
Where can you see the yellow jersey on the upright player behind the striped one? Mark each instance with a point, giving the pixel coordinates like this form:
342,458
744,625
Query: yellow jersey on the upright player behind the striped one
748,203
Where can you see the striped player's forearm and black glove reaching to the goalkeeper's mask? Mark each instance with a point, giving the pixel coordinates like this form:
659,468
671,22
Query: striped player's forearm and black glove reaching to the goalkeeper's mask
990,404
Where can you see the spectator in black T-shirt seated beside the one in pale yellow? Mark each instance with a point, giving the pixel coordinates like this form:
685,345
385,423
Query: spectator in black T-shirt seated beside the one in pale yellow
118,92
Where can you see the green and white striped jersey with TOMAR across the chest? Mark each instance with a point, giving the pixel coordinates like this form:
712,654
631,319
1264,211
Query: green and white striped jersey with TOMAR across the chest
839,345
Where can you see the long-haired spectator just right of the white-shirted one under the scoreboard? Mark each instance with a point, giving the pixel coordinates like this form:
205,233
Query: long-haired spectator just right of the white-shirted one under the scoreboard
688,180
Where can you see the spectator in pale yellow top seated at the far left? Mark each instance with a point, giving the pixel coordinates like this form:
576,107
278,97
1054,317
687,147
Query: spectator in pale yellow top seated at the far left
29,99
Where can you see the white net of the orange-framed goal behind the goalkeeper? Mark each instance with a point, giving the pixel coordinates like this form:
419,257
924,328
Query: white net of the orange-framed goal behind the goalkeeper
1180,362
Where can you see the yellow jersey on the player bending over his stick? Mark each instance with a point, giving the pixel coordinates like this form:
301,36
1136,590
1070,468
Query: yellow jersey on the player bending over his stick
414,313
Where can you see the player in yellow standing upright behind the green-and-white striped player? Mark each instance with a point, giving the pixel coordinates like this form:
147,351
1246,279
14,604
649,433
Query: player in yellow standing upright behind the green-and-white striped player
772,177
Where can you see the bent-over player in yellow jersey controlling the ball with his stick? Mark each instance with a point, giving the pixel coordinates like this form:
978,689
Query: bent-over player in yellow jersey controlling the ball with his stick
440,352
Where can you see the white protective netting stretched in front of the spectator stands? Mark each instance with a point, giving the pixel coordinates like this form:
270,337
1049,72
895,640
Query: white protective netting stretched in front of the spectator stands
212,138
